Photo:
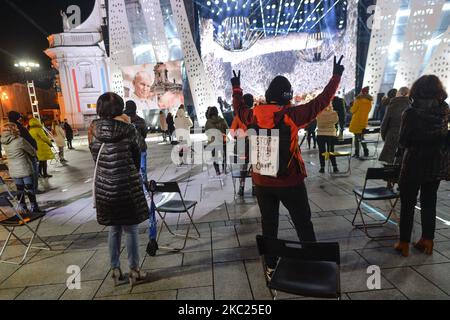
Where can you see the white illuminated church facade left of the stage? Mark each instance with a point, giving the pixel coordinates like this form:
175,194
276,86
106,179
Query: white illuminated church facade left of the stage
79,56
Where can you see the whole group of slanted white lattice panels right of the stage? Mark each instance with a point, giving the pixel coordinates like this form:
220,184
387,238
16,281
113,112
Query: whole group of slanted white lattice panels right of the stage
411,38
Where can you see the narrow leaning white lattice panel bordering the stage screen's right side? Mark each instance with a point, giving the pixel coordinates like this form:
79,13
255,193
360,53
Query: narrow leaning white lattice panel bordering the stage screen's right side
382,31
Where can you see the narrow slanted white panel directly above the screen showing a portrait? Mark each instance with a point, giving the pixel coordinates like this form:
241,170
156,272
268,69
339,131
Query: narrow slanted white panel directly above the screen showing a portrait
155,26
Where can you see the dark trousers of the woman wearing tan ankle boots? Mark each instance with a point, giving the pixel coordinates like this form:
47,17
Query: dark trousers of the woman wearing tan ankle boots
428,198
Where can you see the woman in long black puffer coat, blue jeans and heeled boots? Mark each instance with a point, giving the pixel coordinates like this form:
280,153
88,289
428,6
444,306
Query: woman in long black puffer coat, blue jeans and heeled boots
119,196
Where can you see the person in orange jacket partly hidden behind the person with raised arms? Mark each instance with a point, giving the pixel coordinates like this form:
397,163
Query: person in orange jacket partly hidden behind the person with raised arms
239,133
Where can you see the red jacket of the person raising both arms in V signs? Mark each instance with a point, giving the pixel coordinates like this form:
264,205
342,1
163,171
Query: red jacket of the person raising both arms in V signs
296,117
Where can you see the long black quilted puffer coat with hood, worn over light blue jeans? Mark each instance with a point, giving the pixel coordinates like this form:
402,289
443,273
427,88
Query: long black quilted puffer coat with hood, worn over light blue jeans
119,195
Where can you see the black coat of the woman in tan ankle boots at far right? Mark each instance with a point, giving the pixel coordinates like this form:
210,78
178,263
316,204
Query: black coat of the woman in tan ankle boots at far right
423,139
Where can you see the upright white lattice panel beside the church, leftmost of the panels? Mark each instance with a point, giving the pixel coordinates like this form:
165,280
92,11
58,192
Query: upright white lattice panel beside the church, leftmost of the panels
120,43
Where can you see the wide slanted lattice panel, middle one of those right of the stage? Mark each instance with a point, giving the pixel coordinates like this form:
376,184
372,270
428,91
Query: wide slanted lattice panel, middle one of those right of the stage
423,21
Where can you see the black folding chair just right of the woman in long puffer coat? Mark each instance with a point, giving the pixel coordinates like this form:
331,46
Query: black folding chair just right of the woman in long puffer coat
174,206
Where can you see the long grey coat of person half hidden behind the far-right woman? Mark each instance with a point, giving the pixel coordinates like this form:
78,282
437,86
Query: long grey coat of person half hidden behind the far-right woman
390,127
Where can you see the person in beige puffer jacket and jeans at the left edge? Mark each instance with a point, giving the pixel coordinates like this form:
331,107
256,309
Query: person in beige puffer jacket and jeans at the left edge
20,165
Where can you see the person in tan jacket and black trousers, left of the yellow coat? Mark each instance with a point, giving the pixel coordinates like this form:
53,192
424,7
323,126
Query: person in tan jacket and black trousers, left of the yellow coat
326,136
